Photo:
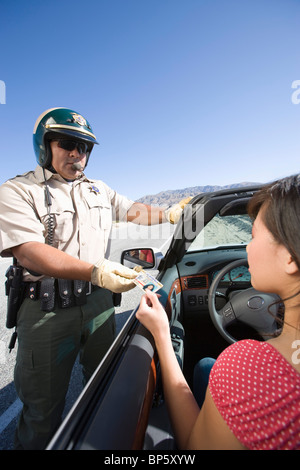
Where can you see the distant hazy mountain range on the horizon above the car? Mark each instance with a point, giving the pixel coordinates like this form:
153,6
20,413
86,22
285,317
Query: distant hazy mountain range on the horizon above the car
172,196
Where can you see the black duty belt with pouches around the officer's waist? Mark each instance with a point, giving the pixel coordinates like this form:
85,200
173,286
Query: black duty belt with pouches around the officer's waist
65,292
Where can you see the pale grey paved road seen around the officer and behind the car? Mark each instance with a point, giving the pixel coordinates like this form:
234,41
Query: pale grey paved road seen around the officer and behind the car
124,236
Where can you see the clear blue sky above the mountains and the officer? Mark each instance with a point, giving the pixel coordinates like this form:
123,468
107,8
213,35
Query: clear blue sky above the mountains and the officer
179,92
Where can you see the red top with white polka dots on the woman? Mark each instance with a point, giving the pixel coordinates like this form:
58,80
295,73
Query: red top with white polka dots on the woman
257,392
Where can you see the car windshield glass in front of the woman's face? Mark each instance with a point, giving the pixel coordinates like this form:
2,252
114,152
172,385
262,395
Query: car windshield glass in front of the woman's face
223,231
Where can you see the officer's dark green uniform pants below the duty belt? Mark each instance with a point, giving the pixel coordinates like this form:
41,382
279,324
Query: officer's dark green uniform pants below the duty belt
48,344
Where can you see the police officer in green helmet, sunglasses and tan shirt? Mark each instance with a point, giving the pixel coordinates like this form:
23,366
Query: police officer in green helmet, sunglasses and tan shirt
56,223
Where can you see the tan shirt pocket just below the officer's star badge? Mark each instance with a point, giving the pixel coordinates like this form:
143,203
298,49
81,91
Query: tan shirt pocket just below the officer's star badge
100,212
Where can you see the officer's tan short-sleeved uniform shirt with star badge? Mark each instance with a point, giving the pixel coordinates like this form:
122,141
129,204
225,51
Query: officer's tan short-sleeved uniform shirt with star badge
83,213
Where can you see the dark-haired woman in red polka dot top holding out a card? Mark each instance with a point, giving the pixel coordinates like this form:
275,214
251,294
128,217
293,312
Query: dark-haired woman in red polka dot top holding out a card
253,397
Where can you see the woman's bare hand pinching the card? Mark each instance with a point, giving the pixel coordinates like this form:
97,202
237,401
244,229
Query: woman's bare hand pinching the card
153,316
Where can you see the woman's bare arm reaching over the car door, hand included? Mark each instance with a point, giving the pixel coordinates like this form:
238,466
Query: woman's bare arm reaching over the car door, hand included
193,428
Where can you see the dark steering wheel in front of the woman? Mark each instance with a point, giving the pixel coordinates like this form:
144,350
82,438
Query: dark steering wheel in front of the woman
248,306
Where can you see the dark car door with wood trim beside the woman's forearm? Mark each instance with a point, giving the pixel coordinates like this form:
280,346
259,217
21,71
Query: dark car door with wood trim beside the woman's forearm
111,413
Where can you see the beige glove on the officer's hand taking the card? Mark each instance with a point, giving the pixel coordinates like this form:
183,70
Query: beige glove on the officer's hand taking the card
113,276
